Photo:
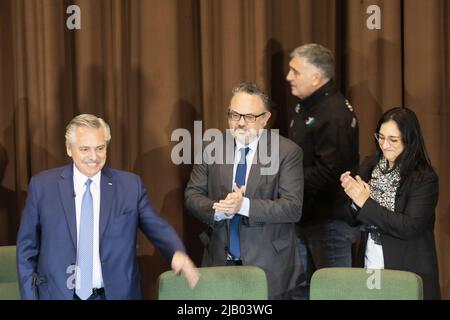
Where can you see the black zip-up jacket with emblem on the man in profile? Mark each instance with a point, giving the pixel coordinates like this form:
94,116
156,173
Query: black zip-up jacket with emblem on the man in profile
325,126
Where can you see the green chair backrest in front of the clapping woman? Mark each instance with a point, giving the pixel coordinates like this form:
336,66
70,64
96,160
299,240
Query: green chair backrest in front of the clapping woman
365,284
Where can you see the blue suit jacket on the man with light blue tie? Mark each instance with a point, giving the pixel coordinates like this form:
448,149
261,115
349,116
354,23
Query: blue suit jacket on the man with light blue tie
47,239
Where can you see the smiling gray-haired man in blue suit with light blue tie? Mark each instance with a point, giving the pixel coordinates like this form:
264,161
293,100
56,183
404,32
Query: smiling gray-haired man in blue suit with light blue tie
77,238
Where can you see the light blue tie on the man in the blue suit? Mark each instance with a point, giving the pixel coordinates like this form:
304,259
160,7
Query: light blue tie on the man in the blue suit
85,245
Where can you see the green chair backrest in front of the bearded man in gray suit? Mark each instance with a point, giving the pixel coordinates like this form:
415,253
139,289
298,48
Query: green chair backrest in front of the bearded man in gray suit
216,283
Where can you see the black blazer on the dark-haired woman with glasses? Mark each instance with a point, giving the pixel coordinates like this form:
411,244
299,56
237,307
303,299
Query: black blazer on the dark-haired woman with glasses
407,235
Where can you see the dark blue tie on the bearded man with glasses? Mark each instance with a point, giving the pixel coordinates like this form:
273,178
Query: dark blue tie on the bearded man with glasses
239,179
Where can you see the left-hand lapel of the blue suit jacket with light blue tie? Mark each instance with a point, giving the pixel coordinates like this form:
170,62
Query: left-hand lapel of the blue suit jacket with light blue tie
67,195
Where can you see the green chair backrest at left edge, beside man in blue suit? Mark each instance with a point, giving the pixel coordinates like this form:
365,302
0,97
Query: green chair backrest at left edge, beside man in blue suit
9,285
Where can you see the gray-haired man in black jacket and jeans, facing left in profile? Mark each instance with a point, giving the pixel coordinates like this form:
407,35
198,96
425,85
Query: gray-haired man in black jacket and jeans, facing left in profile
324,125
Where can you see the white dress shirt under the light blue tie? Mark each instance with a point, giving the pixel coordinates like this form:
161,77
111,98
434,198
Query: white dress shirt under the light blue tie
79,186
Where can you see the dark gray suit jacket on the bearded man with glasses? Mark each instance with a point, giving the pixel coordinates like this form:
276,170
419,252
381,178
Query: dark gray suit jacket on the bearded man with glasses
268,235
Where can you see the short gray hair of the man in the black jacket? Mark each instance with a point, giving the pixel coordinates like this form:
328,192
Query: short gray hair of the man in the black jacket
318,56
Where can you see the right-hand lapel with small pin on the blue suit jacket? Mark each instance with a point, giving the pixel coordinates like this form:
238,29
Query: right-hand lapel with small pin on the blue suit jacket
106,199
